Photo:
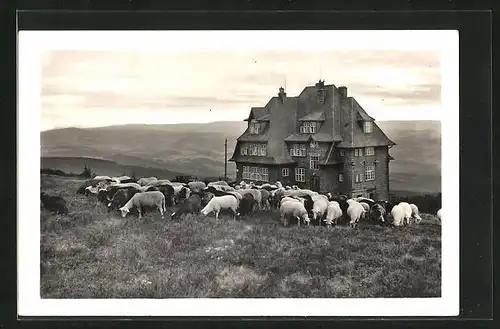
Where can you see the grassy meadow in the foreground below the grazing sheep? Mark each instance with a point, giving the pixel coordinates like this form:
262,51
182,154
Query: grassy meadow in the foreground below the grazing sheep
91,253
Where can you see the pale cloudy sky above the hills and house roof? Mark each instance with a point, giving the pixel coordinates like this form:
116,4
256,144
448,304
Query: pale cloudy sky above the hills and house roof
102,88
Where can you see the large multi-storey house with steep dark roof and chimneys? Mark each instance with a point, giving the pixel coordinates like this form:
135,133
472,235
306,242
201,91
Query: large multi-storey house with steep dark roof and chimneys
321,139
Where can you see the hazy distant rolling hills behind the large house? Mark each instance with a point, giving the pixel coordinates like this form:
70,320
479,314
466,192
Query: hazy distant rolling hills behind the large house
198,149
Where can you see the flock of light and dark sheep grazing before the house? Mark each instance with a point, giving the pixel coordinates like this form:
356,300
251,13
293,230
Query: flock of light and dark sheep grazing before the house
126,195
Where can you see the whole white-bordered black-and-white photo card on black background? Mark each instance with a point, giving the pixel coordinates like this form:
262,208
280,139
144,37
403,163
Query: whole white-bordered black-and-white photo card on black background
228,173
